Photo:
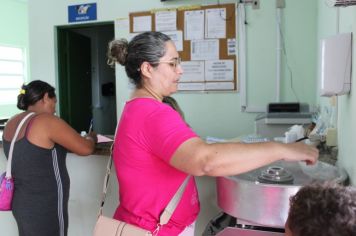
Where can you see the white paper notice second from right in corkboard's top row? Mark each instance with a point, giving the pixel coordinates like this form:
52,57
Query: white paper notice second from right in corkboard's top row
194,25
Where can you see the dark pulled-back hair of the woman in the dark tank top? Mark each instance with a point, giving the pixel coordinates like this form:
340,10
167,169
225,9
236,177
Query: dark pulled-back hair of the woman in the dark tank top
33,92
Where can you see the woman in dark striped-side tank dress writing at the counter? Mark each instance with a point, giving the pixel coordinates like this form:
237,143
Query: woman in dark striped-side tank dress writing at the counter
40,202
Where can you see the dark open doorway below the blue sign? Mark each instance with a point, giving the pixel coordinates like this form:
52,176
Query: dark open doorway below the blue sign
86,84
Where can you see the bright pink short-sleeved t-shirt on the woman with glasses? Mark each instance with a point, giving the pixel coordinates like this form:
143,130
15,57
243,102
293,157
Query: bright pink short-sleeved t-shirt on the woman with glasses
148,135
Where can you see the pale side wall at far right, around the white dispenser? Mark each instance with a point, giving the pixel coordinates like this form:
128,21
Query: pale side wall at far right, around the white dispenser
332,21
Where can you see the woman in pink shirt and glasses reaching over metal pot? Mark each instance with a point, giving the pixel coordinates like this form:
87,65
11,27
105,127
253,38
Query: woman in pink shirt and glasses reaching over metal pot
155,150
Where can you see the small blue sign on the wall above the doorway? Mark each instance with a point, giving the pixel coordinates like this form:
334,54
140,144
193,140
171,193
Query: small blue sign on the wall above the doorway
83,12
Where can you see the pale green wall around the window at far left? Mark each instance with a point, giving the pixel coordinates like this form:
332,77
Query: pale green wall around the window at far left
13,32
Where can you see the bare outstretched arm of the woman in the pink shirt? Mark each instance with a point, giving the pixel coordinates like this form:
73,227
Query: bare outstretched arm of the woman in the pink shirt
196,157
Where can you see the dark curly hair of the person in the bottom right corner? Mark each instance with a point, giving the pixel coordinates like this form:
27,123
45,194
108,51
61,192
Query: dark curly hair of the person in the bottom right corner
326,209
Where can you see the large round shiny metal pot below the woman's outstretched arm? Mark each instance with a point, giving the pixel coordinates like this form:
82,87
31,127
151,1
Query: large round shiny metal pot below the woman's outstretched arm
261,197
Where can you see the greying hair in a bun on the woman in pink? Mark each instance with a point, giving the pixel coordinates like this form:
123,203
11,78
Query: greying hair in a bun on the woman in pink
146,47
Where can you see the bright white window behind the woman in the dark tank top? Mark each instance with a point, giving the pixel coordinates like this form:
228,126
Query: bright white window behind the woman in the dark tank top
12,73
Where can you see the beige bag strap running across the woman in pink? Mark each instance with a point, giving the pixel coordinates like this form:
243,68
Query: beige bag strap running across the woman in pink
168,211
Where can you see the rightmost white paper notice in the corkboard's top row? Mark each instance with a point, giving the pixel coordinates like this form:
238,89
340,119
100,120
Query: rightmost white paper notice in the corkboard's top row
215,23
